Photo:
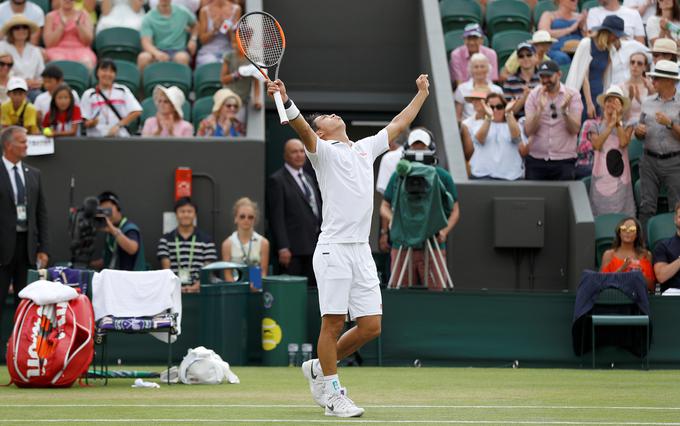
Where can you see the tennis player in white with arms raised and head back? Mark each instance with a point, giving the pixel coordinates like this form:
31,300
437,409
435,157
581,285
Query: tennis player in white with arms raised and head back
345,272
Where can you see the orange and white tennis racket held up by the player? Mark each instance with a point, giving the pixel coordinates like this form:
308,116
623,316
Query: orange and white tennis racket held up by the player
260,38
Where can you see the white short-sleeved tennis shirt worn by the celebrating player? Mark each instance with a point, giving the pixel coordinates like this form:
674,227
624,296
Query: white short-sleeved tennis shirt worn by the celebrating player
345,174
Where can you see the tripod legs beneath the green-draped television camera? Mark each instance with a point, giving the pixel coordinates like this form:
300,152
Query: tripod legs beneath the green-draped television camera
441,271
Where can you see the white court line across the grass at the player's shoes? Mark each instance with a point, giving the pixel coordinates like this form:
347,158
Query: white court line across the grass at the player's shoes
482,407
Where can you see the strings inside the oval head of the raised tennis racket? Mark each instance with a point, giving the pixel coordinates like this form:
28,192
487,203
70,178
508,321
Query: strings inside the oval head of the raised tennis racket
261,40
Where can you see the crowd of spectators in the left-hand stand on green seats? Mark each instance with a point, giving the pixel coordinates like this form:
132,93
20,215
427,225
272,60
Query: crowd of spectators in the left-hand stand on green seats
195,33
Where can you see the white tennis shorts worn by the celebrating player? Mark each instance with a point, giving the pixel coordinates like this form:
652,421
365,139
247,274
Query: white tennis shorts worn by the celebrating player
347,280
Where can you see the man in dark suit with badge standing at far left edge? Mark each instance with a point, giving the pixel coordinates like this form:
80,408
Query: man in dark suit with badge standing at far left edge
23,215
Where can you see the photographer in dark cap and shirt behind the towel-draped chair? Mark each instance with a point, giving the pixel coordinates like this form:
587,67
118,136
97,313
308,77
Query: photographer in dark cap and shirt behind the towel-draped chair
123,249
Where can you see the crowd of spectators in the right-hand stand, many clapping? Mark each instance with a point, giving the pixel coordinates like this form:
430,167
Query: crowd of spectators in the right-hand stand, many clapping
585,87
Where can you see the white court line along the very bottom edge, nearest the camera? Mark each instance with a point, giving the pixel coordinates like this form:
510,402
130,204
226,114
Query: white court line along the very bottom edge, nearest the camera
297,421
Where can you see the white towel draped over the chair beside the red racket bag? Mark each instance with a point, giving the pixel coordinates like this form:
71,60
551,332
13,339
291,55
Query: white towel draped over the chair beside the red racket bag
137,294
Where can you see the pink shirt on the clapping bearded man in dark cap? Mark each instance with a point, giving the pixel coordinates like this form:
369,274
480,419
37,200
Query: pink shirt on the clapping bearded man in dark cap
552,140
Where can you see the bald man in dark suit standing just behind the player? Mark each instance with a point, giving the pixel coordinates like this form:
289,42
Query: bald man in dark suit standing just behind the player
294,213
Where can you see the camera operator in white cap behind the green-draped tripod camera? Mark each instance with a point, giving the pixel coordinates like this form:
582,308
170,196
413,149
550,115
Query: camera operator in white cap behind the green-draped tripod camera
421,139
